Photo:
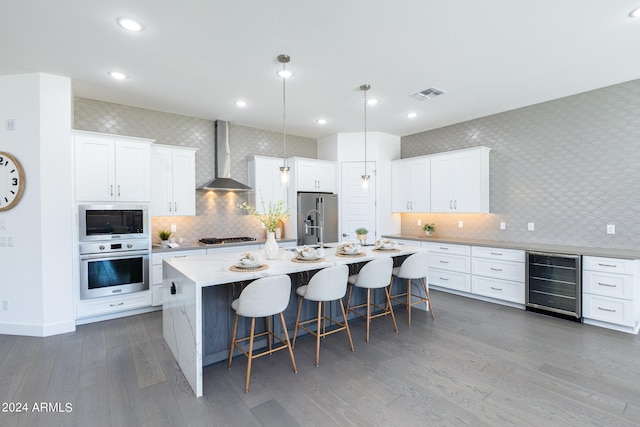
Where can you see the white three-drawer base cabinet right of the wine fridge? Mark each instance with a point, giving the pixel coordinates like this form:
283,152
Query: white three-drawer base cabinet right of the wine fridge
609,293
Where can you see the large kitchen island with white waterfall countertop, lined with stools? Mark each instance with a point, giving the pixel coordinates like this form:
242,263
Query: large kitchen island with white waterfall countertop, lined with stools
197,293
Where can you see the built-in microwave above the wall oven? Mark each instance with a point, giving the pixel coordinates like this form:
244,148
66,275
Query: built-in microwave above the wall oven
109,222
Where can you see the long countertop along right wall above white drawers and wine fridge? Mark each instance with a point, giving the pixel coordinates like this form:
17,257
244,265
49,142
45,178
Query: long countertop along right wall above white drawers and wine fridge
526,246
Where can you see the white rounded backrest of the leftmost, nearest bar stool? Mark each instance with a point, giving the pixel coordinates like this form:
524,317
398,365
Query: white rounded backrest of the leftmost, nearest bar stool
265,297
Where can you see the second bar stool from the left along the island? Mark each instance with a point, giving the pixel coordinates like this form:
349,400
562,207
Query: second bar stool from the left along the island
328,284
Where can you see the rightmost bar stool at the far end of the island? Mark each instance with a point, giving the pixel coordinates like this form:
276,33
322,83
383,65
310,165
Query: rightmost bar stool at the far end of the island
416,266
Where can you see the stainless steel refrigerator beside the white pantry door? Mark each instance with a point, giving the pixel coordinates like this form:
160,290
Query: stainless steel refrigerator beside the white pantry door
317,218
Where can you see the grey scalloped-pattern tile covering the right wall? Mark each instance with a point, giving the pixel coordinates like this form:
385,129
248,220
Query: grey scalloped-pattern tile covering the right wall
571,166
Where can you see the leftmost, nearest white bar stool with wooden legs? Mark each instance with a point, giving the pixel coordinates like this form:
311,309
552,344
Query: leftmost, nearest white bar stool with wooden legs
263,297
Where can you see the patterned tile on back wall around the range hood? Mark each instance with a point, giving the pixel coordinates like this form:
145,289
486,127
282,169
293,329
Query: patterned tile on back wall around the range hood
216,214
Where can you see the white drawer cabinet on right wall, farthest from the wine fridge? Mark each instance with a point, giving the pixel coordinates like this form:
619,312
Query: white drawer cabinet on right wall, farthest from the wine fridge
449,266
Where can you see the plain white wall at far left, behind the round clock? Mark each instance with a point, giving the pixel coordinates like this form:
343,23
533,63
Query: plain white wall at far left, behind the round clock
37,270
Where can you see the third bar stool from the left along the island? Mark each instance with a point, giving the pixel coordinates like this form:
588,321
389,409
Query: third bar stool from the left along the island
375,274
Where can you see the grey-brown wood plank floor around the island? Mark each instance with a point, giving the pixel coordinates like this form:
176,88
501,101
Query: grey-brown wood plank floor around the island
476,364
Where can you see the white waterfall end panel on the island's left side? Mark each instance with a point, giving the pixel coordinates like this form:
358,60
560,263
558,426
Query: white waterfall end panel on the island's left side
182,324
